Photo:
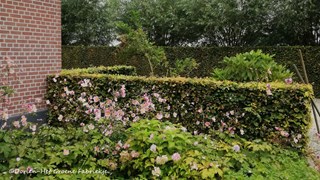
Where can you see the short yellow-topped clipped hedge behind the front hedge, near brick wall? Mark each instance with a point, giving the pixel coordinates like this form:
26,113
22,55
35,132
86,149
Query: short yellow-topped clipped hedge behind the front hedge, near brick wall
120,70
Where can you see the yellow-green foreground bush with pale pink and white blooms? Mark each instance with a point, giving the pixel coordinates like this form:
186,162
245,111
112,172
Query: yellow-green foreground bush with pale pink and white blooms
167,151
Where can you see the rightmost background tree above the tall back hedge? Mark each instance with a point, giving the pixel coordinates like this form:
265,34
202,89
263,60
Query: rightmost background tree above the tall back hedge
294,22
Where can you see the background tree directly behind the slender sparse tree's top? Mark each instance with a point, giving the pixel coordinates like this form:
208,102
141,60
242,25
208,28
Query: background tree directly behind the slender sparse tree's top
166,22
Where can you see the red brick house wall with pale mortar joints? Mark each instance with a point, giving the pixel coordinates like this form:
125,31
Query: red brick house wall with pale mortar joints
30,35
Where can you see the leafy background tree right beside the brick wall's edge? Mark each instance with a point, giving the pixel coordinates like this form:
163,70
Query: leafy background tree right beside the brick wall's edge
87,22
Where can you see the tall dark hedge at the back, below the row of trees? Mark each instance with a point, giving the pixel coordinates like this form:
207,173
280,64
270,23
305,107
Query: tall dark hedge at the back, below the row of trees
208,57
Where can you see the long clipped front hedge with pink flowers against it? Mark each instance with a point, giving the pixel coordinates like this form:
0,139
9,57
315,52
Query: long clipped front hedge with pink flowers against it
198,104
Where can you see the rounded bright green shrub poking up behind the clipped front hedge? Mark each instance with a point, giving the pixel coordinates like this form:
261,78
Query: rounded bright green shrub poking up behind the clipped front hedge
251,66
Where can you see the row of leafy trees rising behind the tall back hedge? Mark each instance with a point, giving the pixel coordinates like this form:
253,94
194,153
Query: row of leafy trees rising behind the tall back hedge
194,22
